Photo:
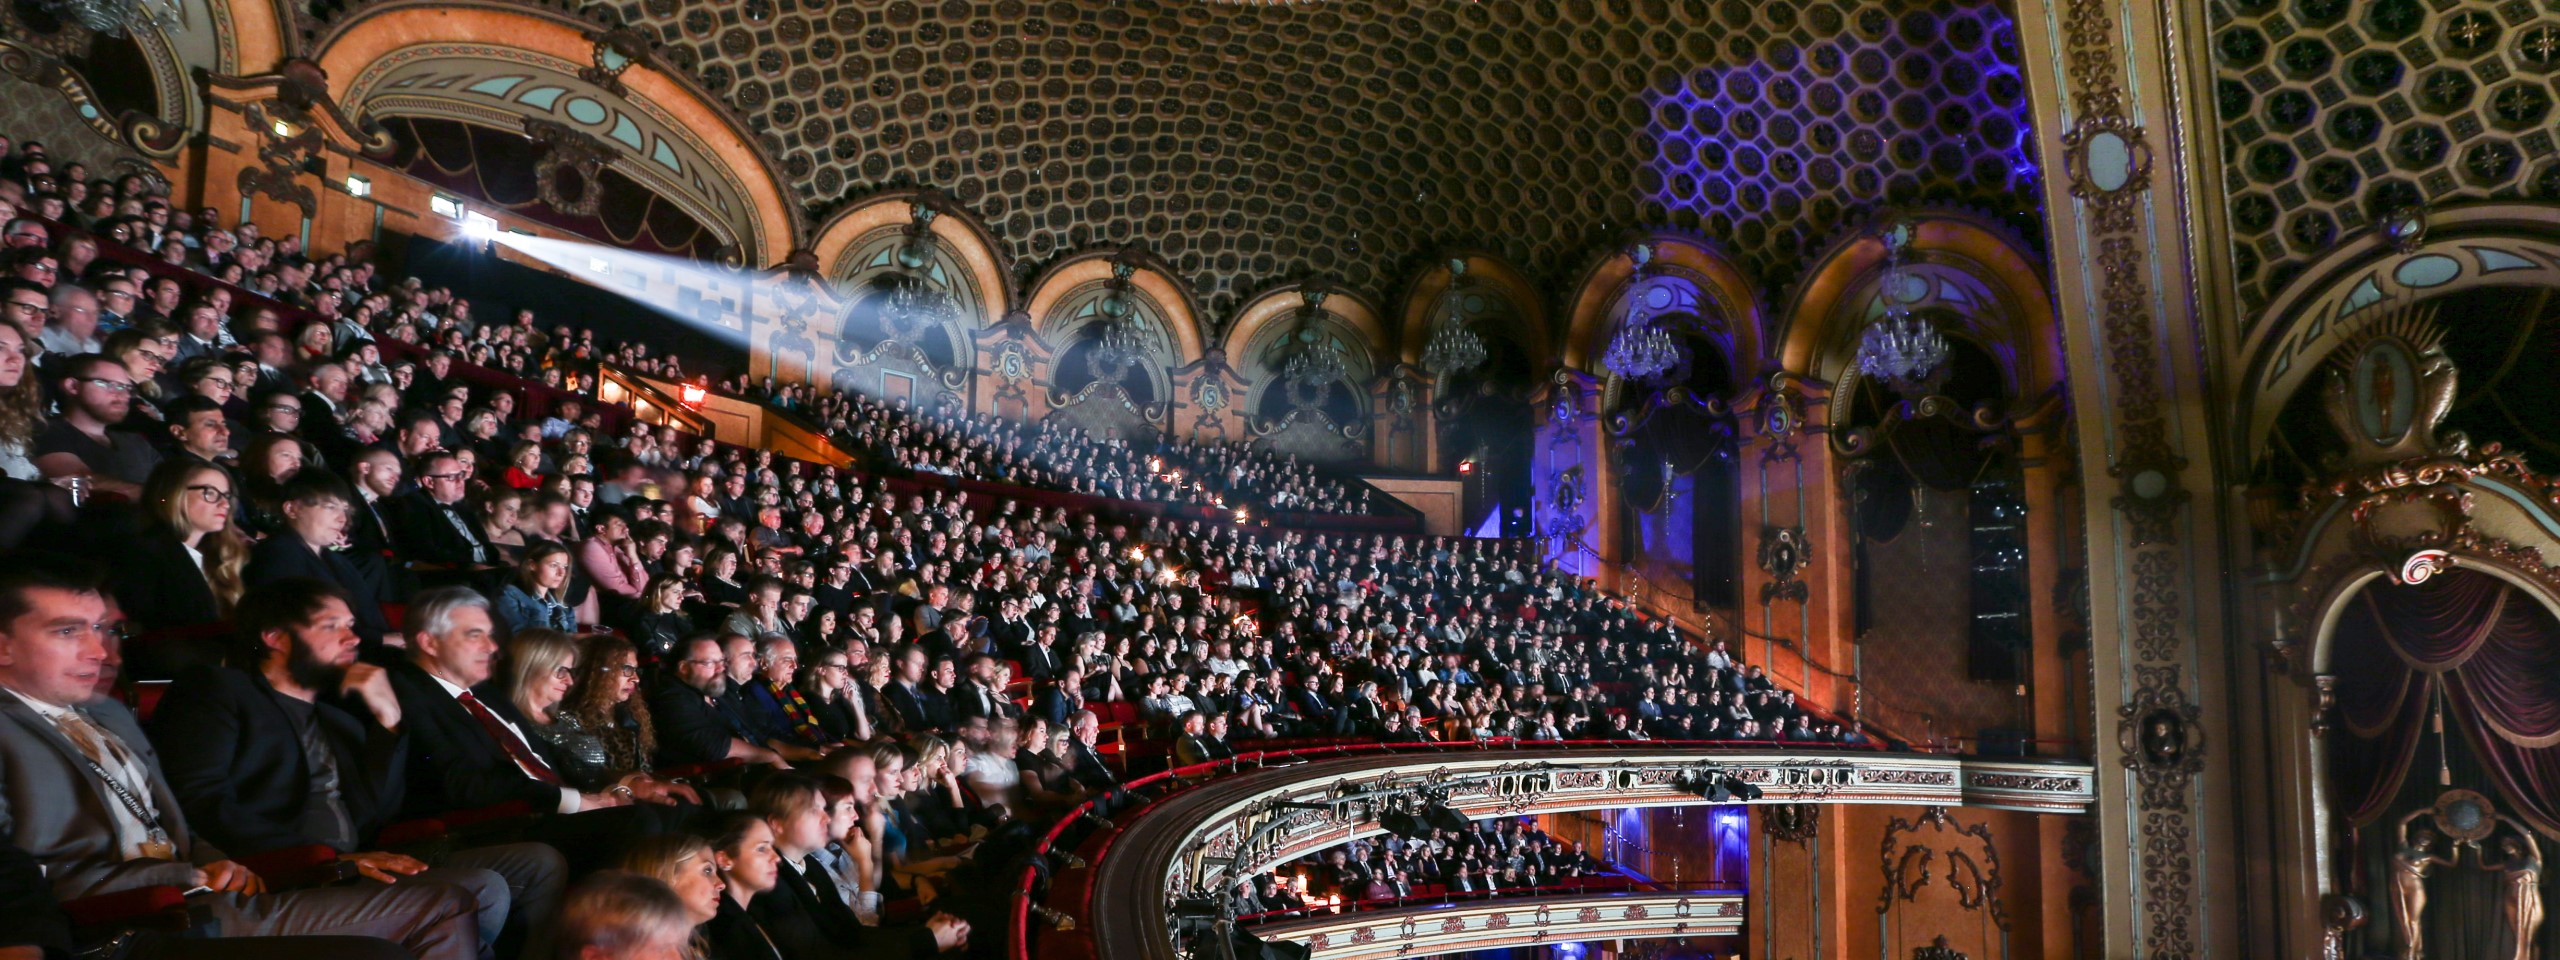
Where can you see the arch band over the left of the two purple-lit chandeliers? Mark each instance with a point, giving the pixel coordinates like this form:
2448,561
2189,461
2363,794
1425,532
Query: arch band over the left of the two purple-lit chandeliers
1719,283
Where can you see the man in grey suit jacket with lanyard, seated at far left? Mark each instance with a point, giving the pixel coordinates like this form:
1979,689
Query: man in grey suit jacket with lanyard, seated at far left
83,792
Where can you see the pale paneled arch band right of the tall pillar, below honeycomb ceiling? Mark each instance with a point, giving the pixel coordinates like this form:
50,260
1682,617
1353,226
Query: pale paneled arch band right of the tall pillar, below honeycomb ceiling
2492,244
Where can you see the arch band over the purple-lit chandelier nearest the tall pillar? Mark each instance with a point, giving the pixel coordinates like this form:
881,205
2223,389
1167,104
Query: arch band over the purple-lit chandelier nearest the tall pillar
1844,288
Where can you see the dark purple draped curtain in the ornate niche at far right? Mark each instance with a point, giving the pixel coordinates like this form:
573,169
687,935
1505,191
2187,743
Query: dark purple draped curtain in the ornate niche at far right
2490,652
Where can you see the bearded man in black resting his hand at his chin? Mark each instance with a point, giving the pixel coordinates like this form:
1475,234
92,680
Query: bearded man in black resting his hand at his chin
303,746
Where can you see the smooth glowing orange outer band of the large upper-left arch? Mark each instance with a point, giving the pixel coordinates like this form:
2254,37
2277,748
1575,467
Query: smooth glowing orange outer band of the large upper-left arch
365,45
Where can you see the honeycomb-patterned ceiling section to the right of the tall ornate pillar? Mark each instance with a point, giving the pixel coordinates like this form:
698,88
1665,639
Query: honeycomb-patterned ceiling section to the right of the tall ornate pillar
2341,111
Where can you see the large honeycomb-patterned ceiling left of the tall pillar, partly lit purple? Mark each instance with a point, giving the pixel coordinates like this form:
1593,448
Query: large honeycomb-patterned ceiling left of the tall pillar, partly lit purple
1251,145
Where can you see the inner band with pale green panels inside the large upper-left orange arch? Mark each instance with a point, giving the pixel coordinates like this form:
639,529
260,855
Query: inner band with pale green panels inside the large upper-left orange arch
508,88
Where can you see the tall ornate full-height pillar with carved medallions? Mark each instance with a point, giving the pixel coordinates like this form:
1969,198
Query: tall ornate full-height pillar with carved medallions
2121,124
